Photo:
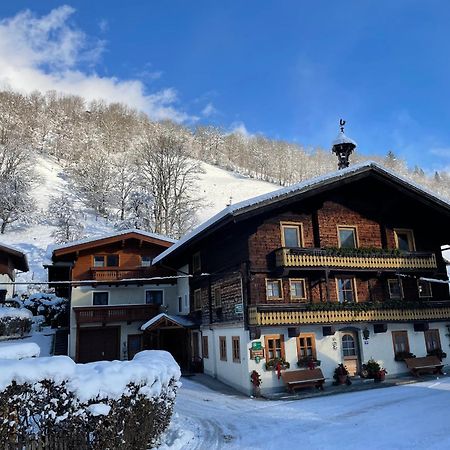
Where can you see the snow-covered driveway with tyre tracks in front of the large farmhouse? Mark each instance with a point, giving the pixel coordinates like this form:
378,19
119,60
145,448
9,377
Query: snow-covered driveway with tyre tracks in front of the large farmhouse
403,417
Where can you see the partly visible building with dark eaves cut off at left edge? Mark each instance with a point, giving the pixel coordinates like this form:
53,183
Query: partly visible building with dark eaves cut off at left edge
11,260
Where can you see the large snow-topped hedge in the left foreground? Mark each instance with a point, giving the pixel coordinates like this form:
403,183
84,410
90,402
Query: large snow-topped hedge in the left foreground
118,404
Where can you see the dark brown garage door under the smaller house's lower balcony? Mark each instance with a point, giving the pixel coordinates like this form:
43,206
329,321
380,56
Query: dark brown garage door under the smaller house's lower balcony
98,344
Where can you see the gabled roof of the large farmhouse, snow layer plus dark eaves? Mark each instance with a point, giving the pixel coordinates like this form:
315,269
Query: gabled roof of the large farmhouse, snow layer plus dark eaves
298,190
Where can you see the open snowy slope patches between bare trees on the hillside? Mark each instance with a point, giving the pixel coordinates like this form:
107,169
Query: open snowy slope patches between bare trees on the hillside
215,185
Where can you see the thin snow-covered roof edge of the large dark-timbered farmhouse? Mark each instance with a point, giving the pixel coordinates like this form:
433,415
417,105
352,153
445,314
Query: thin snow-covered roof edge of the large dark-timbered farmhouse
296,189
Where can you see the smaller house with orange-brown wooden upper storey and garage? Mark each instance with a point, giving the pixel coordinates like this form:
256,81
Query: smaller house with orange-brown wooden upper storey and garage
114,290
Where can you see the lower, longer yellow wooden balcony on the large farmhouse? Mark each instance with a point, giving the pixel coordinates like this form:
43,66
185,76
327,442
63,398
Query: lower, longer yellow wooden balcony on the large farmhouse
268,317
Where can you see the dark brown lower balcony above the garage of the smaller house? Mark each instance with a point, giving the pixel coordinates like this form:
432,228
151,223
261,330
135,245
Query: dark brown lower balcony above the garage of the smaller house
123,313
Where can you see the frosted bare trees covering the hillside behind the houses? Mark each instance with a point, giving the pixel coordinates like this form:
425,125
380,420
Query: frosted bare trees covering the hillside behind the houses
137,172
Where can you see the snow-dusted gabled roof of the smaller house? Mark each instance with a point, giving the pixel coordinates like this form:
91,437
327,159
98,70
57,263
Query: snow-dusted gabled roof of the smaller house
111,237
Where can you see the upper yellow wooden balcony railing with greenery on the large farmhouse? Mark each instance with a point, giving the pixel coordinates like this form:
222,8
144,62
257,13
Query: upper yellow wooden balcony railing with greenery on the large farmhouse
310,258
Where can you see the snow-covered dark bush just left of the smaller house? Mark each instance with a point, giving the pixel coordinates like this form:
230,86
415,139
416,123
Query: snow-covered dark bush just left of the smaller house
52,307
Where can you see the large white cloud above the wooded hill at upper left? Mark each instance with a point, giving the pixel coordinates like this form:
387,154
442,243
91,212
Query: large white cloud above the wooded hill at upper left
45,53
